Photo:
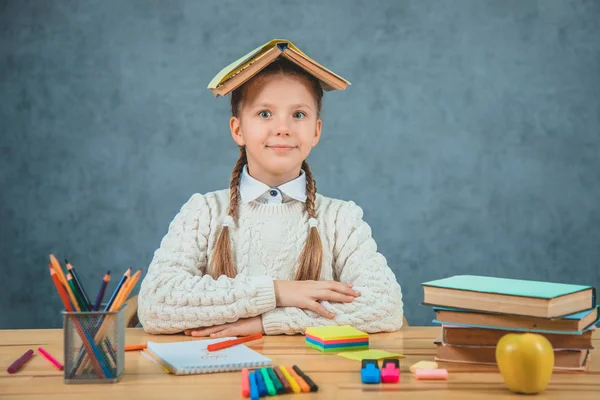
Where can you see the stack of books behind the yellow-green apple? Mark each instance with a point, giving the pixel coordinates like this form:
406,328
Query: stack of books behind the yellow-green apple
476,311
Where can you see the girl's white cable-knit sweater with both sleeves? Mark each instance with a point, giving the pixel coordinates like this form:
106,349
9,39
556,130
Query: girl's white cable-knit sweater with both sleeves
177,293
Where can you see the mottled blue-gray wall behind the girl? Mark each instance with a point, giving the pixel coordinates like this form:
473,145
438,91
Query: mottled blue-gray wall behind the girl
470,135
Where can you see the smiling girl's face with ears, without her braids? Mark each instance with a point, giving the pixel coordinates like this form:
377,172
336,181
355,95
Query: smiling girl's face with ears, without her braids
279,125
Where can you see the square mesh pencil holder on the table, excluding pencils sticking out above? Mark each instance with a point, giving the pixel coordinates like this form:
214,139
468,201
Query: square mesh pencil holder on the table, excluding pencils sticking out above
94,344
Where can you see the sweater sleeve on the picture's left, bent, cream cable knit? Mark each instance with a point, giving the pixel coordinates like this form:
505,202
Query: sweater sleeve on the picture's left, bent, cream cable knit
177,294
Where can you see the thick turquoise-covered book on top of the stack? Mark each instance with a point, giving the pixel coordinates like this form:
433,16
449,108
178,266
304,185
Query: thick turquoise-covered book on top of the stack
509,296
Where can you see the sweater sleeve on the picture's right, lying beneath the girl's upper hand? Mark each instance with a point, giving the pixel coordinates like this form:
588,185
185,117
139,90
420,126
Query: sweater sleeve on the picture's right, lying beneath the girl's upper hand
379,307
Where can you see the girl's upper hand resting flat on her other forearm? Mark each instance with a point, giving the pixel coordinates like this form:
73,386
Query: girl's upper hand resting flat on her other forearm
307,294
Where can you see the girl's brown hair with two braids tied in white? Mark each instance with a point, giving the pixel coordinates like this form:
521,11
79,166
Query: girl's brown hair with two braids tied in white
311,257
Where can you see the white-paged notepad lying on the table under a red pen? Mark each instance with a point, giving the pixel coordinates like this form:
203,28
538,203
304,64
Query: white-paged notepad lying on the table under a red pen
192,357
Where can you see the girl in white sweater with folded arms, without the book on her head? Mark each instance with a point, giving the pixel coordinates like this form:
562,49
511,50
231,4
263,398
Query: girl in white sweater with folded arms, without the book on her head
269,254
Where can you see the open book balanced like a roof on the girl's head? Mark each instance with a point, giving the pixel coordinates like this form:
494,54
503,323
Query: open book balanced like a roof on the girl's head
239,71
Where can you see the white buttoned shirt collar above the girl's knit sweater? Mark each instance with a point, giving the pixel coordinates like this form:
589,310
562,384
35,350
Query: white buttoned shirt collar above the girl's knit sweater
252,189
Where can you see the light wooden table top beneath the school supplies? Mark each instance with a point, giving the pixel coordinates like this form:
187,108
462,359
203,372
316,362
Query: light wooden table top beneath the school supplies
337,377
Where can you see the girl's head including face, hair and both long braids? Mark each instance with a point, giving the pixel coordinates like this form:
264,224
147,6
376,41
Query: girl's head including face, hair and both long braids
276,121
